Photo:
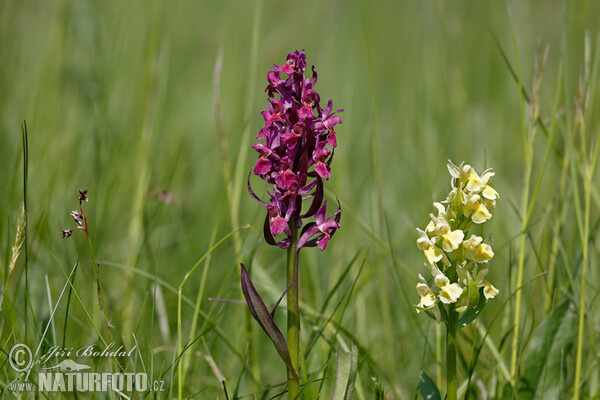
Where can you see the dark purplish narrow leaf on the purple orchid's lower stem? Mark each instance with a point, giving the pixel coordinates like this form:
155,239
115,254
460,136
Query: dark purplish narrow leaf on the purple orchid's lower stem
261,314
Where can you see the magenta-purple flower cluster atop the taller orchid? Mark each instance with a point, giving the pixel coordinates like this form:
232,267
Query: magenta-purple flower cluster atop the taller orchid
296,155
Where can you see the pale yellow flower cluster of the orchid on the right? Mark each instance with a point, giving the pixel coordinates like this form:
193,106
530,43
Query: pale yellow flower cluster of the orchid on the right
458,262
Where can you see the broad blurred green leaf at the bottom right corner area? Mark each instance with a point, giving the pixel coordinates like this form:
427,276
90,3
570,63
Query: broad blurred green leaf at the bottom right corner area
550,345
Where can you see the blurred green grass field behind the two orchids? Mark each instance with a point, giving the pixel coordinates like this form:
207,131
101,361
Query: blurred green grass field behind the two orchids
119,98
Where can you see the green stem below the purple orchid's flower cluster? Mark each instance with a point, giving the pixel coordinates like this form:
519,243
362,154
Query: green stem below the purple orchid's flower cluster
293,333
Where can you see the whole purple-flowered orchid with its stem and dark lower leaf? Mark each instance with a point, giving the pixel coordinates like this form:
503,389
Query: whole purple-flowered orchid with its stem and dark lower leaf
295,151
